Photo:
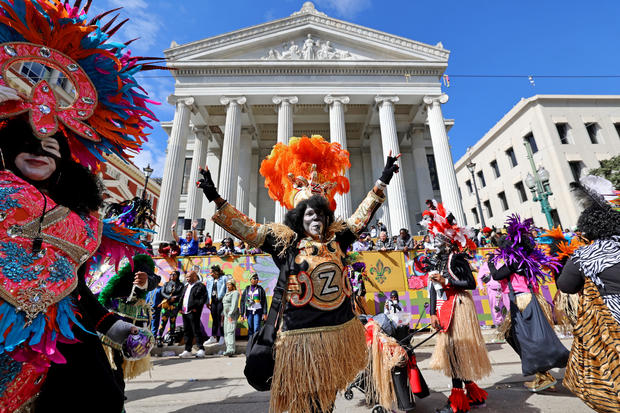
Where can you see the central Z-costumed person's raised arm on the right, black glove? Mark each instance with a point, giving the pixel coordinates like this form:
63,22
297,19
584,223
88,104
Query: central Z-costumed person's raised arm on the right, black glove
366,210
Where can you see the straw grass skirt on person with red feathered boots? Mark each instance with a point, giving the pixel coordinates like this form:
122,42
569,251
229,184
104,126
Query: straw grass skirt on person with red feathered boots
461,352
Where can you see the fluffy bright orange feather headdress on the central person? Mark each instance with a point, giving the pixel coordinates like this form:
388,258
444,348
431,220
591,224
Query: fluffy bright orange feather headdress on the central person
306,167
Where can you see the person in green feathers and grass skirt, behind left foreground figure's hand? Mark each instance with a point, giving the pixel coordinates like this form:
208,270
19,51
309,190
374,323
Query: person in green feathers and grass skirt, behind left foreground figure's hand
125,295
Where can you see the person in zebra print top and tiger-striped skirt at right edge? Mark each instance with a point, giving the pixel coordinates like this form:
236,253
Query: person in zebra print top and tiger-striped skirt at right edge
593,370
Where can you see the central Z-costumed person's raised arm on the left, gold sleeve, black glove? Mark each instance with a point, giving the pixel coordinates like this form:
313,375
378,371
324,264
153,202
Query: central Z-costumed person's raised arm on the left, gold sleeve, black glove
229,217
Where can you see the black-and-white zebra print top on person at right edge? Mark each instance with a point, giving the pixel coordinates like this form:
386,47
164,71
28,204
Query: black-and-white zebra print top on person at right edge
595,258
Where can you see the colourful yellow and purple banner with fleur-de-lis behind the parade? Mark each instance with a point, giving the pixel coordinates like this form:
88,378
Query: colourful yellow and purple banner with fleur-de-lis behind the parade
386,271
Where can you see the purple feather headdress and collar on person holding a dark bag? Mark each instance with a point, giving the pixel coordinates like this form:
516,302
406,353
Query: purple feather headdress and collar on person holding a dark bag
520,248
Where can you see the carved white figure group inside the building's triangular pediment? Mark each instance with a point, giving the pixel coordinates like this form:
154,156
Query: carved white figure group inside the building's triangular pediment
310,50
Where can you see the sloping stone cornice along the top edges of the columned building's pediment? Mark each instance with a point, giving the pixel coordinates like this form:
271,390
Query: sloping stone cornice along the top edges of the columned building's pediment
310,19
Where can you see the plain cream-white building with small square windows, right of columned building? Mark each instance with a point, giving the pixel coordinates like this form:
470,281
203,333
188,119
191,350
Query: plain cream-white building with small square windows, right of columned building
568,134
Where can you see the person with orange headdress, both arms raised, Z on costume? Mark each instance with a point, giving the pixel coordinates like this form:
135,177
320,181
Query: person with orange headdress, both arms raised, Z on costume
318,322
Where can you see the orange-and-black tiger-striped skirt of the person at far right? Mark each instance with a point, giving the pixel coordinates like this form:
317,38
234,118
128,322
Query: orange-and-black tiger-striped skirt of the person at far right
593,370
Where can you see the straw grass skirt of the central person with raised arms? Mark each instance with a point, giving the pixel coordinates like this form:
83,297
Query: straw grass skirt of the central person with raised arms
313,364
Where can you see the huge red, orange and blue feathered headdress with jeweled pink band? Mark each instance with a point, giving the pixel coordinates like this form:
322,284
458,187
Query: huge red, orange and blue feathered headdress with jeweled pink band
58,67
